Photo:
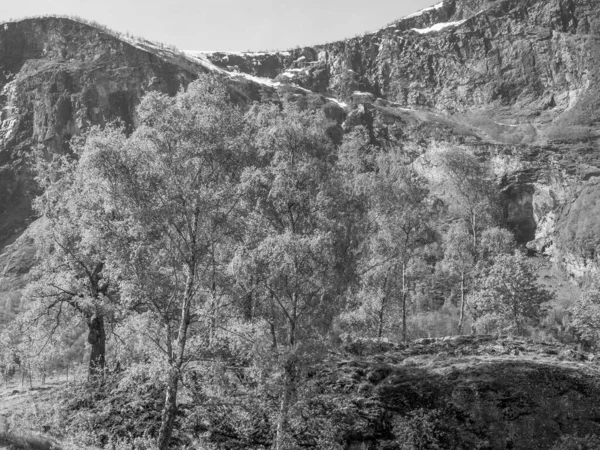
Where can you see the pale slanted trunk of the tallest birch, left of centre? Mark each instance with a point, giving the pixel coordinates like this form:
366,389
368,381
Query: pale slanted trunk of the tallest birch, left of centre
176,361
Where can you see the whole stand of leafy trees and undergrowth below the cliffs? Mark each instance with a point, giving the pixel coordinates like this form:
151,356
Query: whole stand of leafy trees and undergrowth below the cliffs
215,257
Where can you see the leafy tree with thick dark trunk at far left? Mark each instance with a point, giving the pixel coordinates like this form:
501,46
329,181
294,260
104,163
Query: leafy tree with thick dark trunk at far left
69,274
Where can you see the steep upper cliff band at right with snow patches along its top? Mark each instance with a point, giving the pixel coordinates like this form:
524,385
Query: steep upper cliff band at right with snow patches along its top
533,59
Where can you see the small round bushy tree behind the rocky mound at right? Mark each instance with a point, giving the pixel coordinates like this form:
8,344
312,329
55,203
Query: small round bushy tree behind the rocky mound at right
508,297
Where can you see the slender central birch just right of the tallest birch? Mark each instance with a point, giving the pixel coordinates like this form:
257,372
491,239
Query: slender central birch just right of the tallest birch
292,199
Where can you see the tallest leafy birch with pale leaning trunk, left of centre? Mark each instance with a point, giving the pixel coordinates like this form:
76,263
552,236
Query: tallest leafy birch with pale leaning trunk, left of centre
164,210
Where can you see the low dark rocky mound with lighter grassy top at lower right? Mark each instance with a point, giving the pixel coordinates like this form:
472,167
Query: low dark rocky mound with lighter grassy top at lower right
498,393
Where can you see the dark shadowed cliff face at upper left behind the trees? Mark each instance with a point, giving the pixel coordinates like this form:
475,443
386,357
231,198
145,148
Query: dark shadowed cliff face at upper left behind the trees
57,78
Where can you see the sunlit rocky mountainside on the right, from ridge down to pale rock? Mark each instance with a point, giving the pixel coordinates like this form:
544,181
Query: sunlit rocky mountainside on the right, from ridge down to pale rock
520,76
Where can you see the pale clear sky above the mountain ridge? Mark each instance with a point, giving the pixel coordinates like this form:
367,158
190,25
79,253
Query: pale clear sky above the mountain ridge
234,25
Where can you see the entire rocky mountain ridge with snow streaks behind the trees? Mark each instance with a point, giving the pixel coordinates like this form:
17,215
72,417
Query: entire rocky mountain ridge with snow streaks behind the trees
515,81
